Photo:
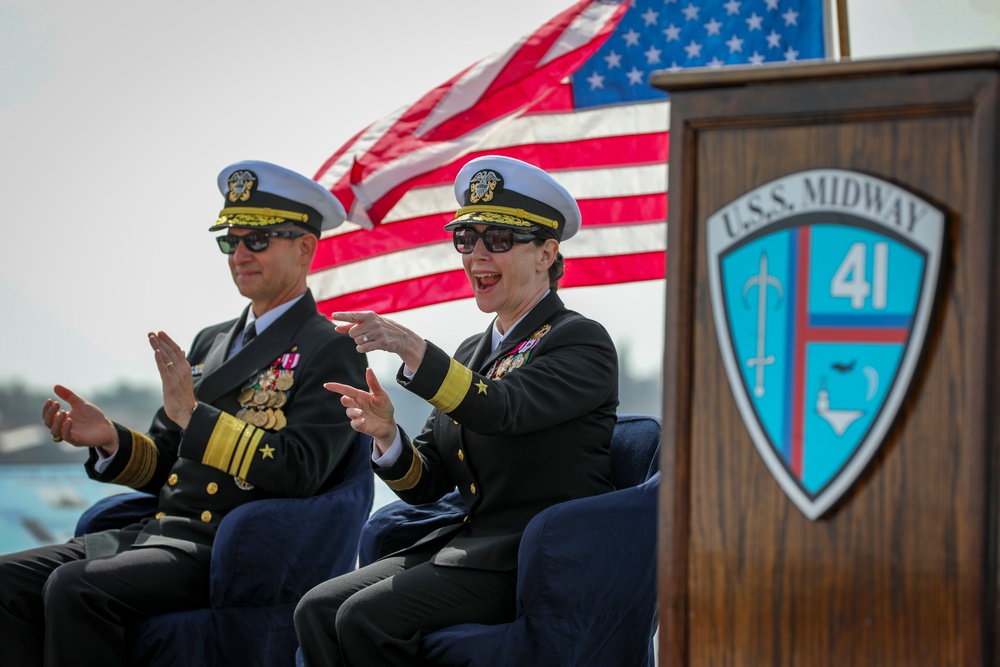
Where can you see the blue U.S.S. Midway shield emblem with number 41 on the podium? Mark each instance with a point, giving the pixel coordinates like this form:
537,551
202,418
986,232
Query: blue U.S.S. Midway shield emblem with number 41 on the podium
822,284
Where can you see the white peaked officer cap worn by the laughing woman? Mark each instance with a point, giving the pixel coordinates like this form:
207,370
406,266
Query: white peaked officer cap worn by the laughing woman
501,191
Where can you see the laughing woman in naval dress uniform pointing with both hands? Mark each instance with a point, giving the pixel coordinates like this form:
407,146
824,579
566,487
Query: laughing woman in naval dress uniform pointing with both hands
523,417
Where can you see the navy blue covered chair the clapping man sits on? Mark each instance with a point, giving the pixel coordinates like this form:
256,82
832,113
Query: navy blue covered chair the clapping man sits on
267,554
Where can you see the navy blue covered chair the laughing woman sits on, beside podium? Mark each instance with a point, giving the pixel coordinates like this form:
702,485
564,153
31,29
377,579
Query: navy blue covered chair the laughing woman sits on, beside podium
586,589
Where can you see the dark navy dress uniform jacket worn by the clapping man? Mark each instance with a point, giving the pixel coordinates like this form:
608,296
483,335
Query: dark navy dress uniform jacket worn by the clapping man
221,462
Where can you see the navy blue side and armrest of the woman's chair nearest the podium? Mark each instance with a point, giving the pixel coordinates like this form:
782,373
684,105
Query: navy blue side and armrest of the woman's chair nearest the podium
586,590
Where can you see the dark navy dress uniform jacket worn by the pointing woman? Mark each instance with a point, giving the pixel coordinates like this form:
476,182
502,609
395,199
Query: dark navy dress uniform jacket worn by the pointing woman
537,435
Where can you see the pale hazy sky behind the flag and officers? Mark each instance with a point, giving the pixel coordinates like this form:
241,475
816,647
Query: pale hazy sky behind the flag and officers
116,116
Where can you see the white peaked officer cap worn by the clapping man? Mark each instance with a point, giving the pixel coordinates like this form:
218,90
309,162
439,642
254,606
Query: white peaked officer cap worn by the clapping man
258,195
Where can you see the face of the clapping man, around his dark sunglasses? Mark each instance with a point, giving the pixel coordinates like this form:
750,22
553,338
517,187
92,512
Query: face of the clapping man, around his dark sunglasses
272,276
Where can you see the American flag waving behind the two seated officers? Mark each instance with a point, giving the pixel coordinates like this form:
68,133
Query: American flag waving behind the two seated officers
573,98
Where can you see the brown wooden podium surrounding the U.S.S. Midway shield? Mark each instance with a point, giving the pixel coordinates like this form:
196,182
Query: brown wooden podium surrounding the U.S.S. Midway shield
901,570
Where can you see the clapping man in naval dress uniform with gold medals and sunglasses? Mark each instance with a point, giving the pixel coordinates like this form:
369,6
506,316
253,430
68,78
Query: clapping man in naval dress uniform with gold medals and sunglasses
244,417
